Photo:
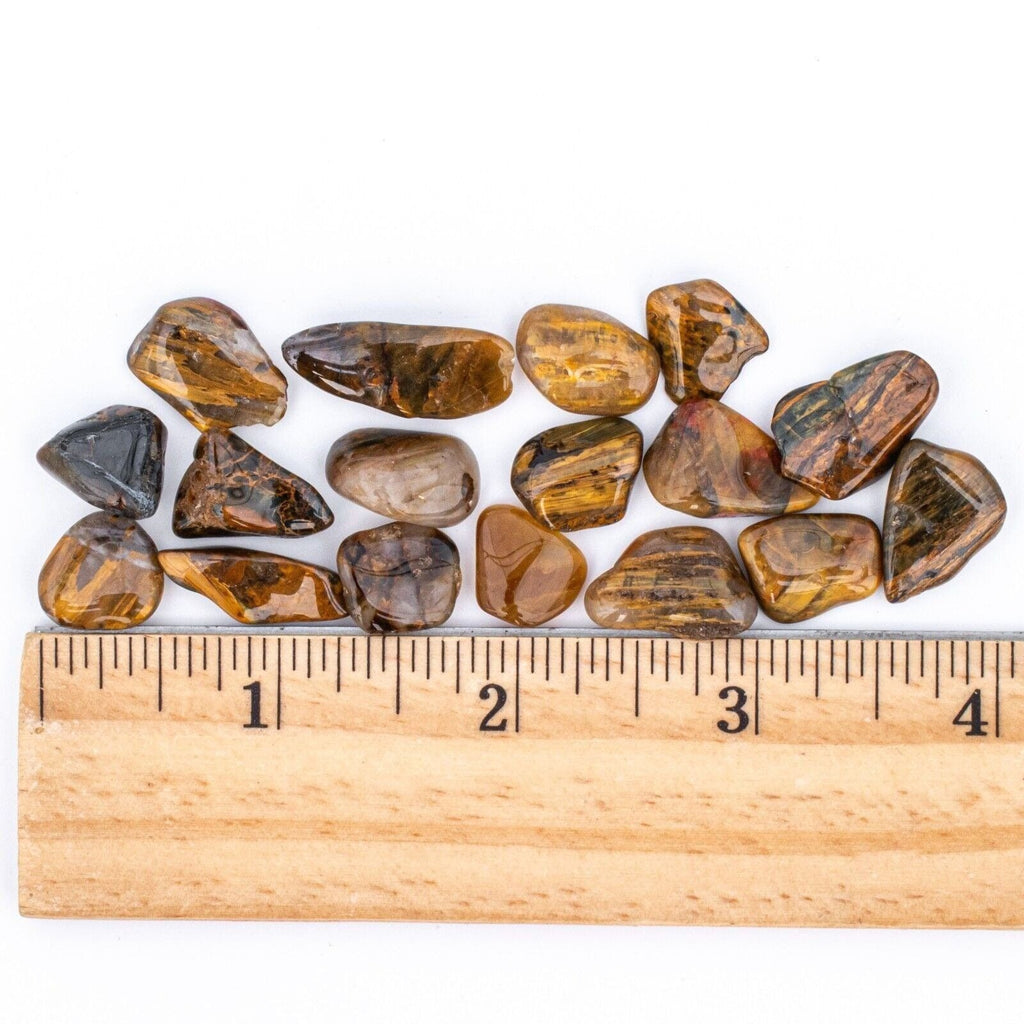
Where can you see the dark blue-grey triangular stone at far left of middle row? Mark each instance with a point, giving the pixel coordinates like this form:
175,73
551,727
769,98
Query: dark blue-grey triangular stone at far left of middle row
113,459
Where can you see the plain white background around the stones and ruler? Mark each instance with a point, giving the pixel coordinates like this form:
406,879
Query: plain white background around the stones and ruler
852,174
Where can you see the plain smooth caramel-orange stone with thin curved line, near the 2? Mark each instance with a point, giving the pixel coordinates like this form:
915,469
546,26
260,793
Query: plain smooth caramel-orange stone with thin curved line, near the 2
526,574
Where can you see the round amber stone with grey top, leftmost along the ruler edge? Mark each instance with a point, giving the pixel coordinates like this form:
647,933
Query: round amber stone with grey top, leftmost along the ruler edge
103,575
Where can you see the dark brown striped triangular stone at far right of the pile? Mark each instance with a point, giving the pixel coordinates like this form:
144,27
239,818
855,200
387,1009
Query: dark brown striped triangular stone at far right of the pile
943,507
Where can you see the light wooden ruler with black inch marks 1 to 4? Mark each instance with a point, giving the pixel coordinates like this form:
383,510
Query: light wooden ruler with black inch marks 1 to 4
777,780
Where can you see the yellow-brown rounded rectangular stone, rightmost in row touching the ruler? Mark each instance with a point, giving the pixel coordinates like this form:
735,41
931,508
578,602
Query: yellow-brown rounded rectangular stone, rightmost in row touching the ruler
802,566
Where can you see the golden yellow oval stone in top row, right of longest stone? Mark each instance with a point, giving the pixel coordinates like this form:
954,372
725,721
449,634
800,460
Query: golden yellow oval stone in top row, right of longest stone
585,361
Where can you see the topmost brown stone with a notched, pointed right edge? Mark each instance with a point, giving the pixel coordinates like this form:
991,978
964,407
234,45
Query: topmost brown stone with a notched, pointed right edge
704,336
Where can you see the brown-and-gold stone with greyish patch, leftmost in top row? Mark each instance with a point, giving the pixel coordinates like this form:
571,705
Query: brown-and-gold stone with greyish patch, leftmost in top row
201,357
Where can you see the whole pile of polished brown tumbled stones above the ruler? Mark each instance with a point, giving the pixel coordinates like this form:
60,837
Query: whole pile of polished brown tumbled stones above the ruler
831,439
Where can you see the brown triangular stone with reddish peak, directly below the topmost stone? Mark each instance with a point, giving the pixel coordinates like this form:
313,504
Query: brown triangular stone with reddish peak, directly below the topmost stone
710,461
